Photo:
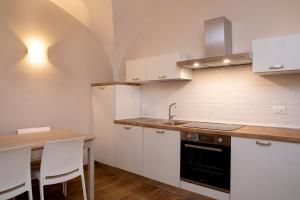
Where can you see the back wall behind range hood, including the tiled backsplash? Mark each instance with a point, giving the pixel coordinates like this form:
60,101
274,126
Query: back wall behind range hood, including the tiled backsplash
233,95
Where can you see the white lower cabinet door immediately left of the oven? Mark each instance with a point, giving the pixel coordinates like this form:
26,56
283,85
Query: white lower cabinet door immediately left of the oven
162,155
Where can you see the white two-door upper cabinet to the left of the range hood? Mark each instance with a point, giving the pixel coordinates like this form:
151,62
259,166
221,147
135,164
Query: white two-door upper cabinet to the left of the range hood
162,67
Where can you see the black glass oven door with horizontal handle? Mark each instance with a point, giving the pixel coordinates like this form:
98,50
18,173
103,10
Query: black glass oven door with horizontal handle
206,164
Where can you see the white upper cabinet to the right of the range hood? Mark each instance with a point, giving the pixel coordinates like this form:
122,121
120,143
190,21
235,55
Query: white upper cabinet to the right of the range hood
277,55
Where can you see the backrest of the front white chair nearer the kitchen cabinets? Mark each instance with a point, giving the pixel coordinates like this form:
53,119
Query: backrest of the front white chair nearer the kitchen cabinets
62,157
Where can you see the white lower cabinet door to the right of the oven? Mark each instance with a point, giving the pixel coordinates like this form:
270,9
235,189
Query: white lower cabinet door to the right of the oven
264,170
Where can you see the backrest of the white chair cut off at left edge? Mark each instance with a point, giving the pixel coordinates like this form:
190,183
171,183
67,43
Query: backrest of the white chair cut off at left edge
14,167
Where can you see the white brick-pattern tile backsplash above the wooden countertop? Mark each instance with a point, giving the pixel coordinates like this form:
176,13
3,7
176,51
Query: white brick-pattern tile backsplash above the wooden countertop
228,95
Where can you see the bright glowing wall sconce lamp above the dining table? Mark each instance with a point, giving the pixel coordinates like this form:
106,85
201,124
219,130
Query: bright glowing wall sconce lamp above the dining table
36,52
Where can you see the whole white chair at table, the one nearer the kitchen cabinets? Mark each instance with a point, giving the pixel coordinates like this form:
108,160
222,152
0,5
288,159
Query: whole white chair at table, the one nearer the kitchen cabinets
61,161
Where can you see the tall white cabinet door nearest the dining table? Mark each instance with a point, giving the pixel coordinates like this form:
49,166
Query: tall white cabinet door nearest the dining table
103,109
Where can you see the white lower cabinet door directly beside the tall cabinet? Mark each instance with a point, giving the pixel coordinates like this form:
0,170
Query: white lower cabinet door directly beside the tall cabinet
129,148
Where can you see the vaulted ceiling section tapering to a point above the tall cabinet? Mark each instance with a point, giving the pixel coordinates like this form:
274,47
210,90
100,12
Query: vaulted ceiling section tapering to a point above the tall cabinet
114,22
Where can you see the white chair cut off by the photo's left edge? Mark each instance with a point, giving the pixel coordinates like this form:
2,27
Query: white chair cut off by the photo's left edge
15,177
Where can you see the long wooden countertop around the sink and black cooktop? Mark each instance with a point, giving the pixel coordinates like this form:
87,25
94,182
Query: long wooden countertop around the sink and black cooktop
256,132
